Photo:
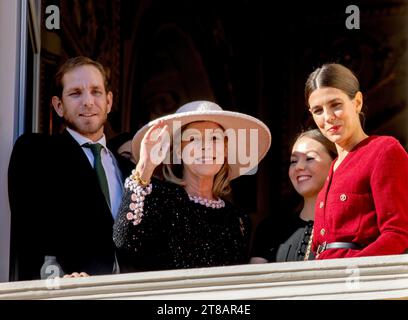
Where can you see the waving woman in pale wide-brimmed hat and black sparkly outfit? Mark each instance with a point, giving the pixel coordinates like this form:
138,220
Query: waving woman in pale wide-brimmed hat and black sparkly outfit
185,221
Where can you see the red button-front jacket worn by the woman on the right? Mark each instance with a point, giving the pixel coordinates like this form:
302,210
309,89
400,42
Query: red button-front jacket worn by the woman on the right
365,201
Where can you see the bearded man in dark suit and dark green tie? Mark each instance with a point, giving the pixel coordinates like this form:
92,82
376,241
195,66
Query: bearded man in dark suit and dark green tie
65,189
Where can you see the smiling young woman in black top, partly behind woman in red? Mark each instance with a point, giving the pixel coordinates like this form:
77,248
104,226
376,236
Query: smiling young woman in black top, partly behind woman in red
278,241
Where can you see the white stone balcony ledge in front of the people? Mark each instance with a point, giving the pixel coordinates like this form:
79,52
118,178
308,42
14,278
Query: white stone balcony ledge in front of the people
384,277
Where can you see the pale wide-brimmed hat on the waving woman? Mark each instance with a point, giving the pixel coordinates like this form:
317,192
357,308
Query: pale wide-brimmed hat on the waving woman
239,122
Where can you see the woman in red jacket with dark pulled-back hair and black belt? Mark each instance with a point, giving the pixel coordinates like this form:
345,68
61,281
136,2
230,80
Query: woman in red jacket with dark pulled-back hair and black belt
362,209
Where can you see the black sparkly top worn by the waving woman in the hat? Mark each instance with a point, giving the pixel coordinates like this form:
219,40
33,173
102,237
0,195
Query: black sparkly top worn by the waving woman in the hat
177,233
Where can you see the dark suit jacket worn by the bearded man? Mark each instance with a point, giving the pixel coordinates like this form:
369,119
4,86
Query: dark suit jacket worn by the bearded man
58,208
